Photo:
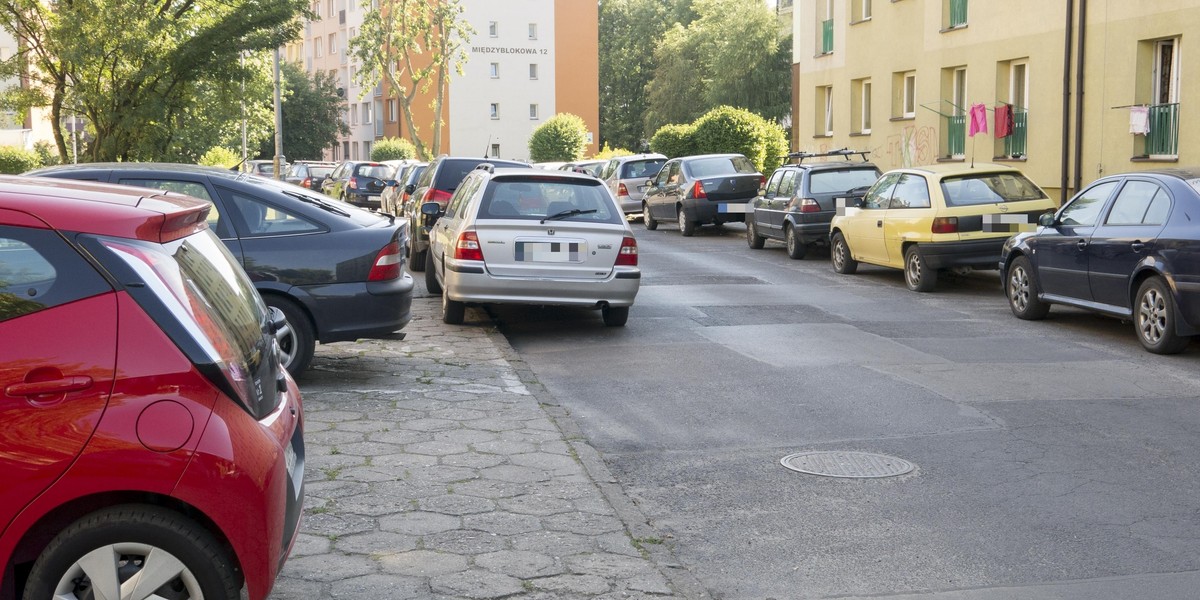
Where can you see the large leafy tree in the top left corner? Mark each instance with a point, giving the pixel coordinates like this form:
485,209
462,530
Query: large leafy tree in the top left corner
136,71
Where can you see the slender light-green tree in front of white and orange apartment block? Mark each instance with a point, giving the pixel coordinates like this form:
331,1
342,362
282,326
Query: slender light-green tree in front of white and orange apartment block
412,46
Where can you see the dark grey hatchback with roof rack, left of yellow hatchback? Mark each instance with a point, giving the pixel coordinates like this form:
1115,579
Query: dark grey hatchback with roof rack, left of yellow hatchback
801,200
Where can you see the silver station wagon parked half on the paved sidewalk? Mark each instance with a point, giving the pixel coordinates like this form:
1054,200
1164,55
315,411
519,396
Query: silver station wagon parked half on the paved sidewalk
535,237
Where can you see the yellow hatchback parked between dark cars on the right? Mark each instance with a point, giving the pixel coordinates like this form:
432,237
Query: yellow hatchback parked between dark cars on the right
928,219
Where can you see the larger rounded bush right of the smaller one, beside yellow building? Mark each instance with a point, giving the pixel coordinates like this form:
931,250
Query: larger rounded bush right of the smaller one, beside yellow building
735,130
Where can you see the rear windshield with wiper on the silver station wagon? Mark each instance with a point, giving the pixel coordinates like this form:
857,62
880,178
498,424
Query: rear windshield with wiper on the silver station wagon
533,199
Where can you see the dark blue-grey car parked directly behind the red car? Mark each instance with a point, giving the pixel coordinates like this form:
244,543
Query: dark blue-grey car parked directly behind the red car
335,272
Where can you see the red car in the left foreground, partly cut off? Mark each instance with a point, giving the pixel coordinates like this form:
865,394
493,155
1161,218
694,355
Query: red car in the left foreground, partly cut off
152,445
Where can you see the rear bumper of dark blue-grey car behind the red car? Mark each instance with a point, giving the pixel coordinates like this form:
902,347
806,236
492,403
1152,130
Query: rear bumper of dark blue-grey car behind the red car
350,311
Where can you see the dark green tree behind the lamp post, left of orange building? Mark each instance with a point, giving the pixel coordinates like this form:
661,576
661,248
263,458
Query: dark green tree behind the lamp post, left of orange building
311,112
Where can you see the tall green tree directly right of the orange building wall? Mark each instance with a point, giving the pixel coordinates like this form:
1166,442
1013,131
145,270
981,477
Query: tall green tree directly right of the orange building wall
629,33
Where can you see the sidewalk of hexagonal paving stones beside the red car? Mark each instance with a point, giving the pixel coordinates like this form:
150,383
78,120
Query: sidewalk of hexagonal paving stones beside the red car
439,470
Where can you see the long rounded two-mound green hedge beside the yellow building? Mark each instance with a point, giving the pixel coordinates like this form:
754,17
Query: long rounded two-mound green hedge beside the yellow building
727,130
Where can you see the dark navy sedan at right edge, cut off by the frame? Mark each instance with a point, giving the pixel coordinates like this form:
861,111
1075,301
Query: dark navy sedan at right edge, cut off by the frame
1127,247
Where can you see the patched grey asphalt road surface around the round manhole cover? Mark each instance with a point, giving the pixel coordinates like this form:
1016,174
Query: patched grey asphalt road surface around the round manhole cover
1053,459
